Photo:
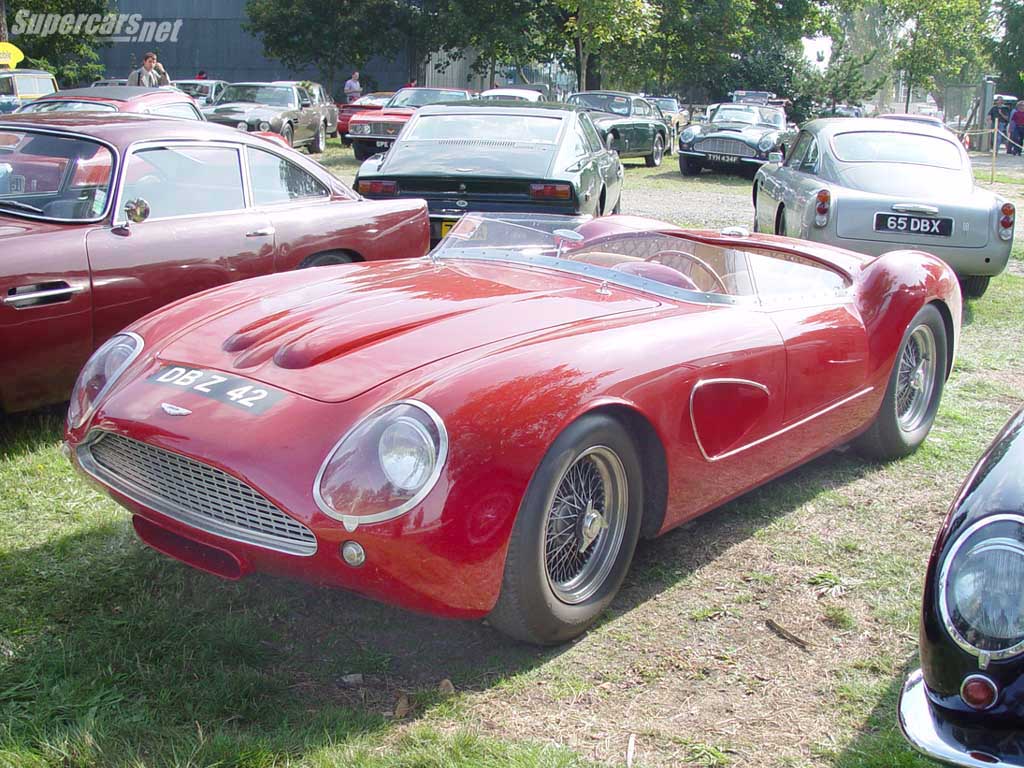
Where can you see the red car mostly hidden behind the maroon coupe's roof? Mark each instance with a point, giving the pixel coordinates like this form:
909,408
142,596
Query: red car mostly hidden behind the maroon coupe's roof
166,103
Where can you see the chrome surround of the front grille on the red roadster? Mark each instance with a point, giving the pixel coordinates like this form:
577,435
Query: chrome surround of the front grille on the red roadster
144,497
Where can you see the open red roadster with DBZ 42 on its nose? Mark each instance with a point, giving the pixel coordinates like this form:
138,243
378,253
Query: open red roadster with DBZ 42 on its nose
548,394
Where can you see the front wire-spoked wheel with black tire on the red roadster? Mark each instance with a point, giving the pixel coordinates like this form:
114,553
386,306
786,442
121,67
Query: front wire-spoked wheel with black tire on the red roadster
536,608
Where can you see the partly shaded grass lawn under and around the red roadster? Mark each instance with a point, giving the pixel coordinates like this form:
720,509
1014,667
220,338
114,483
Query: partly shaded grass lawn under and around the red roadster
112,655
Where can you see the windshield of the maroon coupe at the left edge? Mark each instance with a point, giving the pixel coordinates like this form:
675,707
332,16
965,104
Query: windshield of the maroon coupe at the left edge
54,178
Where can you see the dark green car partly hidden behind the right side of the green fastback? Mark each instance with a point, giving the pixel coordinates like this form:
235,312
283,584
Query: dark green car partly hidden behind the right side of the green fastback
632,126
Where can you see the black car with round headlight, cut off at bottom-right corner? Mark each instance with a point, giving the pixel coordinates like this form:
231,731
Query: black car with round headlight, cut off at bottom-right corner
965,705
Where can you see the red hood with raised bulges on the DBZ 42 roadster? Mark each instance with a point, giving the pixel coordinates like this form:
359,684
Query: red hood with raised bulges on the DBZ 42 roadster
337,333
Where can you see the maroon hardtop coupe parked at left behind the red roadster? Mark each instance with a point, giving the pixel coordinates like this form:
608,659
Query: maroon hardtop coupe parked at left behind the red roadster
107,218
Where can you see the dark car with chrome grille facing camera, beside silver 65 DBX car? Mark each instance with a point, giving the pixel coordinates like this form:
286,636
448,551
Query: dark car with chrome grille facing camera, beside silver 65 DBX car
738,138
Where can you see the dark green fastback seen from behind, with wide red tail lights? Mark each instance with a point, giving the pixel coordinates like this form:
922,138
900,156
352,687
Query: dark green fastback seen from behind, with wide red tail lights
476,156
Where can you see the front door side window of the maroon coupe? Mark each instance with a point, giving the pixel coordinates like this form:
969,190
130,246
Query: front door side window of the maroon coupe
185,181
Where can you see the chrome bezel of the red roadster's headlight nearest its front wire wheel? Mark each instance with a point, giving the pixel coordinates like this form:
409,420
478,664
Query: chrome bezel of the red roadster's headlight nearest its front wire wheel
378,419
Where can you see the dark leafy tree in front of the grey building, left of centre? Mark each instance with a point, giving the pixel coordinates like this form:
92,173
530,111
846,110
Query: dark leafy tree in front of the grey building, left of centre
326,34
